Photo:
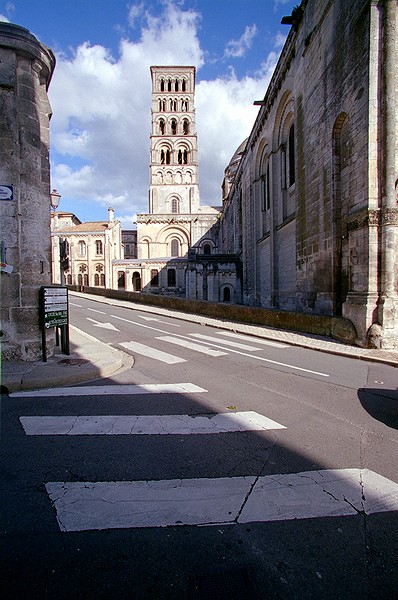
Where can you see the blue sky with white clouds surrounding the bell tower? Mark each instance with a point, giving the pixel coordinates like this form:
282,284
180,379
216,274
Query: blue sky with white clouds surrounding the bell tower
100,91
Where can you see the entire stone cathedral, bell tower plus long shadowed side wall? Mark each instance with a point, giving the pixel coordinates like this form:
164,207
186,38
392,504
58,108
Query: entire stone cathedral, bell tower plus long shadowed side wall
309,217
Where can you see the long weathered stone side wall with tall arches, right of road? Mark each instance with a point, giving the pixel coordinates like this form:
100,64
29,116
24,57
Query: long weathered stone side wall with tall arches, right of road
310,199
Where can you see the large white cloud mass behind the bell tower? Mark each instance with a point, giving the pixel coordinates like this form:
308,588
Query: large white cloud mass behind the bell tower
101,123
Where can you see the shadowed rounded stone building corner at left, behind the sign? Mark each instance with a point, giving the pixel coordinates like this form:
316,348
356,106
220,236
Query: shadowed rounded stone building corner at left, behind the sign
26,67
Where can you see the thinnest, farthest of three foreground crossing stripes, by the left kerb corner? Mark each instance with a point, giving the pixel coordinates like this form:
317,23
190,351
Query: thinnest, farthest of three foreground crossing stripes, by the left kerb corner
115,390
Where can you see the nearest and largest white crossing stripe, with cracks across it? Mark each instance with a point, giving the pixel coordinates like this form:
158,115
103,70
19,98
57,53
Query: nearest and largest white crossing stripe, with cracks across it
82,506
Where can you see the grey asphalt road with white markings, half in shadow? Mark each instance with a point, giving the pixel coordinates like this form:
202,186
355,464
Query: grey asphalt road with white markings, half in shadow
259,471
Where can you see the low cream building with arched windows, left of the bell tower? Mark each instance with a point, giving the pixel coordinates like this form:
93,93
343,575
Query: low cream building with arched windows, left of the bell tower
90,251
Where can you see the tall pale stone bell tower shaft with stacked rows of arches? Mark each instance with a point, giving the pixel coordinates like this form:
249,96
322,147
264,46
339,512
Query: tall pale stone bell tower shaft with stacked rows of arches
173,187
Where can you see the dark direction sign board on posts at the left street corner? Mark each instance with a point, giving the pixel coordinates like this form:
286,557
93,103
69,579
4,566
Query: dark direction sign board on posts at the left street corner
54,313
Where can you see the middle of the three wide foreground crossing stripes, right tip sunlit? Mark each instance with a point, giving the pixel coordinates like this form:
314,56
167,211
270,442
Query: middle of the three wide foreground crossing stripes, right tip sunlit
147,425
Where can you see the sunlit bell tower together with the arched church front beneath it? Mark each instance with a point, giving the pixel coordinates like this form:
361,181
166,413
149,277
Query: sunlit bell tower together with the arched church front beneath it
177,230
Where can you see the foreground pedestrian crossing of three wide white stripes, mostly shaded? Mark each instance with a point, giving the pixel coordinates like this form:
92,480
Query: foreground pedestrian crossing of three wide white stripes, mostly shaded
202,501
